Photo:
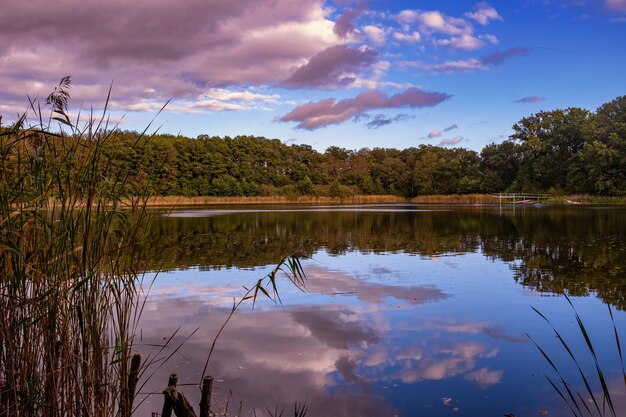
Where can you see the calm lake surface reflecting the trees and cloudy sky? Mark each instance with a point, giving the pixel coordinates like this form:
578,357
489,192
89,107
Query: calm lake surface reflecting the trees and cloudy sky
409,310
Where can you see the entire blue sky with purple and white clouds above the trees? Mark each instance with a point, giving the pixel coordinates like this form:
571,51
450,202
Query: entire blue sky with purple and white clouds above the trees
354,74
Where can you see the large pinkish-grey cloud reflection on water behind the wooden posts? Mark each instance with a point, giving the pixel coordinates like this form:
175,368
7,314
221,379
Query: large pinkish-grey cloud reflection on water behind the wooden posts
301,352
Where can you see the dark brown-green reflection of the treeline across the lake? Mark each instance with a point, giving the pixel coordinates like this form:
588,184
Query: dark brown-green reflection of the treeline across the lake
575,250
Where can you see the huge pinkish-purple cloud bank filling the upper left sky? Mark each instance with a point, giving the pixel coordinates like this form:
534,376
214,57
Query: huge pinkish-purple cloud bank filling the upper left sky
155,49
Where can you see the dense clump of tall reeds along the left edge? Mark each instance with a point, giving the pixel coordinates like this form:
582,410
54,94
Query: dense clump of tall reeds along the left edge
70,263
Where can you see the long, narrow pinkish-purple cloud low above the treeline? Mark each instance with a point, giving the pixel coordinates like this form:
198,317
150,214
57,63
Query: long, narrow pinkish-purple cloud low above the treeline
329,111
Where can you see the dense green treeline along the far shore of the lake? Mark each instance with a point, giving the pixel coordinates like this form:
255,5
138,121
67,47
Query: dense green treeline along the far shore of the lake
571,151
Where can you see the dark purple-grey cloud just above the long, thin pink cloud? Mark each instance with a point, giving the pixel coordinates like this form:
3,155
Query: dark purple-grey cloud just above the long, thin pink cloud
335,66
